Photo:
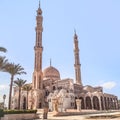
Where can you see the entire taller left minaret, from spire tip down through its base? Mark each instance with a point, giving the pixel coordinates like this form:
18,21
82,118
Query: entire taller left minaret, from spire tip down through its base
37,82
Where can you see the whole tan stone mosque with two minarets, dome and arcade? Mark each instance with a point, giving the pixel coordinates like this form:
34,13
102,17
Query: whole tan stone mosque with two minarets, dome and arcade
47,83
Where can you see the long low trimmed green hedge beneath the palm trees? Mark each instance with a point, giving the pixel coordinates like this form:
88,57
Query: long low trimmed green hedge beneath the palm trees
19,111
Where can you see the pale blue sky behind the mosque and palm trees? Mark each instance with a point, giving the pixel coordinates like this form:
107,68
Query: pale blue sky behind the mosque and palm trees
97,23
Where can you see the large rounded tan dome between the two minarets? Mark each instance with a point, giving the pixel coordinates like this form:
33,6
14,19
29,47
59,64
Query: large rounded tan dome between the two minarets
51,73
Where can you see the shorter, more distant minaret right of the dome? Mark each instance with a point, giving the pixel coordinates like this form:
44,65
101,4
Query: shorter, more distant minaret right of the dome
77,61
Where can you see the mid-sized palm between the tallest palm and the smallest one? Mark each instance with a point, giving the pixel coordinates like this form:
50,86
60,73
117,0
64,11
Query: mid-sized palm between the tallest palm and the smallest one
19,83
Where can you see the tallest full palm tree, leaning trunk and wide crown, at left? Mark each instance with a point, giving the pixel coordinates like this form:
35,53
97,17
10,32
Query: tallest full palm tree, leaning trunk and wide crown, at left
13,69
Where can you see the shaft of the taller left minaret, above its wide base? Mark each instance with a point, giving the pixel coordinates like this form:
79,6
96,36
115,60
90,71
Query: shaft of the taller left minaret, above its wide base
37,74
